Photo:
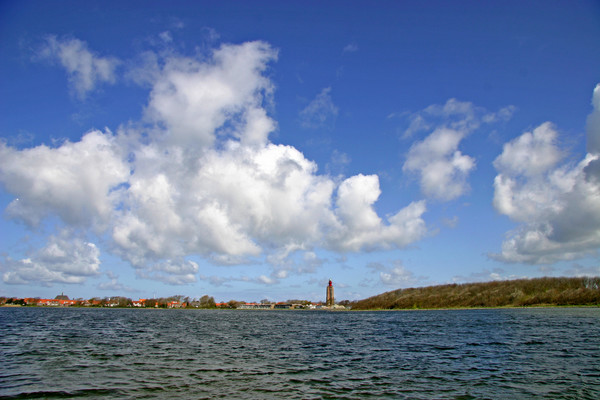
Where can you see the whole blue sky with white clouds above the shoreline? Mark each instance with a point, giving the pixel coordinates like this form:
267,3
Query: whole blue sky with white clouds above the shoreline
255,150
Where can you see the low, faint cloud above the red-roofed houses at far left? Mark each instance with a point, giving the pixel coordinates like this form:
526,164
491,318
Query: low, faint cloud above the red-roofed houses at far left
62,260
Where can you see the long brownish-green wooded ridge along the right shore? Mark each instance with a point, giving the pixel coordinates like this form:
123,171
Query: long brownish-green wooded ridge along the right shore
514,293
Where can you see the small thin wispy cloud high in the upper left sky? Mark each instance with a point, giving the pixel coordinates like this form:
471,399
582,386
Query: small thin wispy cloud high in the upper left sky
84,68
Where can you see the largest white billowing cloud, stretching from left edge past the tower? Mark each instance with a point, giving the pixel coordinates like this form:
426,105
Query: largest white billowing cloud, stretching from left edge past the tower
199,176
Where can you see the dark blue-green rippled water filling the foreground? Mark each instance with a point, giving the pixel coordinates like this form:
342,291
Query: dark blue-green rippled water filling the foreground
211,354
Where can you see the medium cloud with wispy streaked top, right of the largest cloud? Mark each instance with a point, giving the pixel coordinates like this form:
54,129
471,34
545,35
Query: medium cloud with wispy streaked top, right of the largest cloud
442,168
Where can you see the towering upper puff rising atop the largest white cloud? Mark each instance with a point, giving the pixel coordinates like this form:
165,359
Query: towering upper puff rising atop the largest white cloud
193,99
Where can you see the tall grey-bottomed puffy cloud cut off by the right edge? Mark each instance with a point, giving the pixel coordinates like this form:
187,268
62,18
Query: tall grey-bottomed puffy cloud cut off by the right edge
557,205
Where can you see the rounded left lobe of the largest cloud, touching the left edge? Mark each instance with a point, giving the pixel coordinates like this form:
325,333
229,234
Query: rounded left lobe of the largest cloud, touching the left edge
75,181
